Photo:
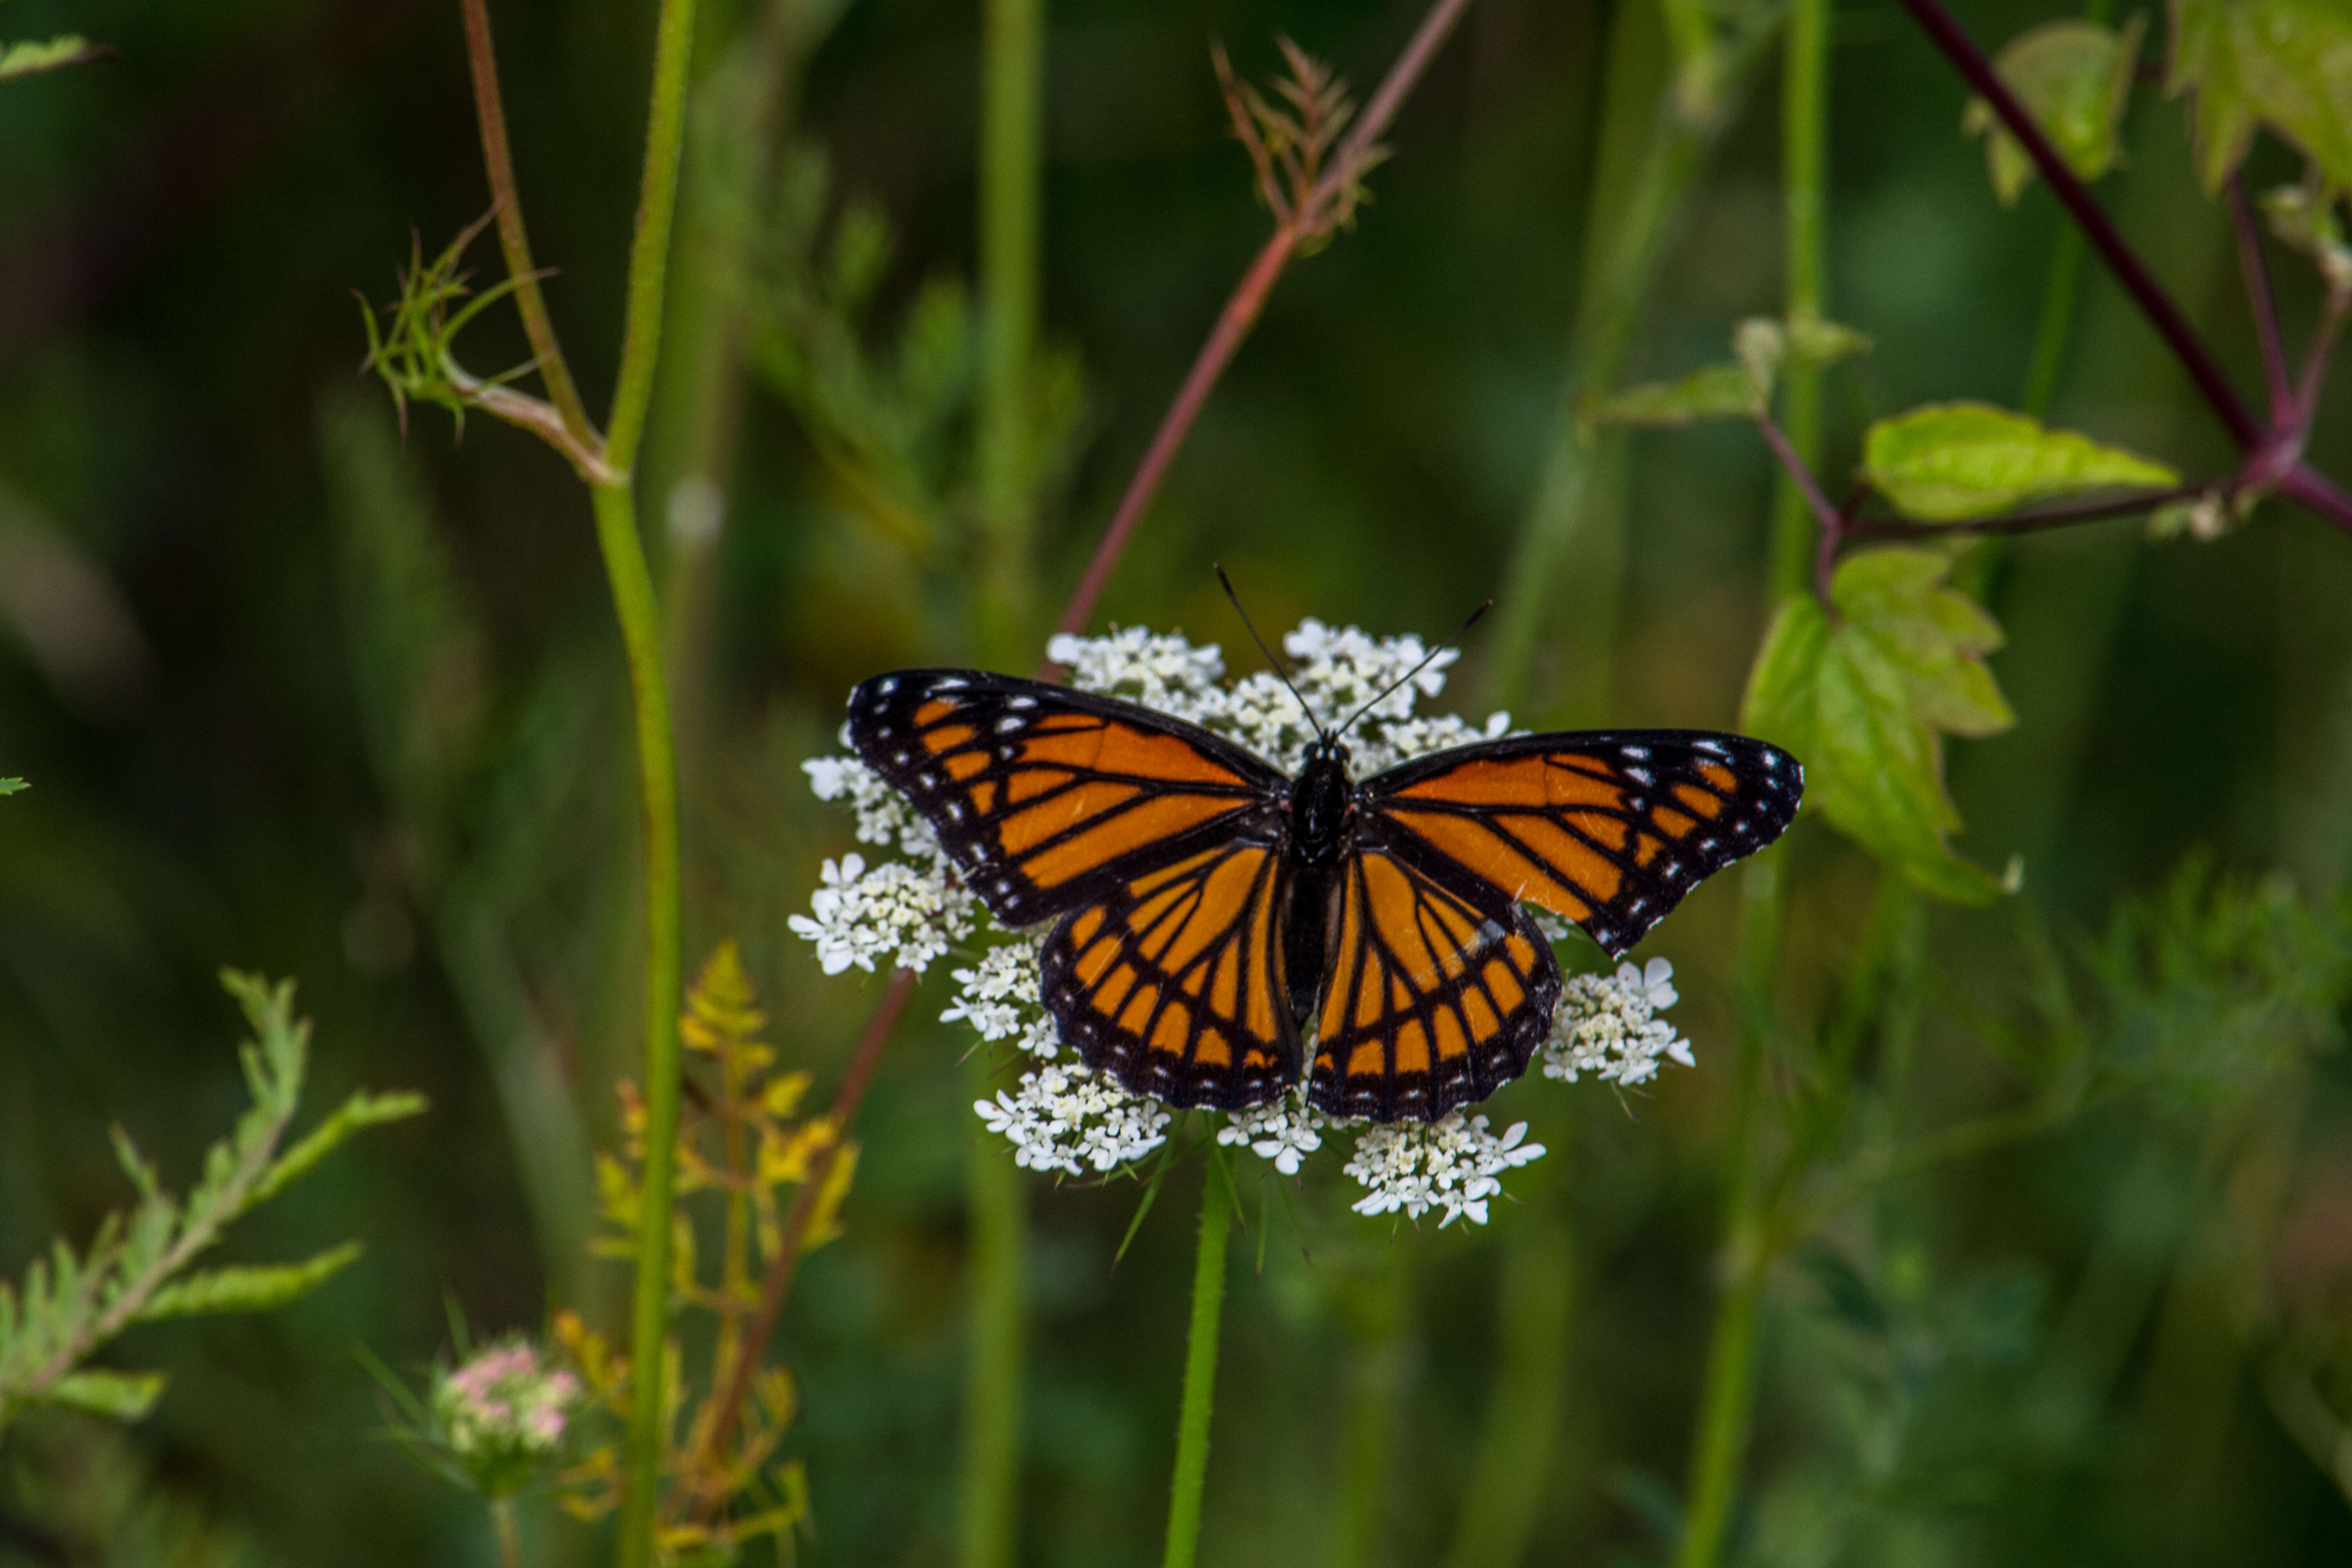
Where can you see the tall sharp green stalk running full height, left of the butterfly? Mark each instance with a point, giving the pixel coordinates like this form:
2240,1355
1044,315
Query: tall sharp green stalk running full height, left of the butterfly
657,763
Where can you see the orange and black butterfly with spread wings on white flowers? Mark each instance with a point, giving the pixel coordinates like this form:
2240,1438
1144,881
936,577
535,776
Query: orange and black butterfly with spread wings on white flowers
1212,913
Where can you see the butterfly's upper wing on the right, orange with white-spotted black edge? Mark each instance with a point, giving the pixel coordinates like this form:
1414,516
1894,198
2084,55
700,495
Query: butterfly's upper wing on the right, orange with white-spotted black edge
1608,829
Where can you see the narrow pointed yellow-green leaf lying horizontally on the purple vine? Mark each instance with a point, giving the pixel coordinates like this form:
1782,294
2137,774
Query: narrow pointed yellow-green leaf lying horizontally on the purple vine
1951,462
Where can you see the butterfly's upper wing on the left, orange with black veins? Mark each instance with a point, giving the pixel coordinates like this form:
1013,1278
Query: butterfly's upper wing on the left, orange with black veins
1045,798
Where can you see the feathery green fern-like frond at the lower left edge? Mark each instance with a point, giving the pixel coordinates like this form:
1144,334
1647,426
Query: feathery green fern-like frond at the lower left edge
138,1268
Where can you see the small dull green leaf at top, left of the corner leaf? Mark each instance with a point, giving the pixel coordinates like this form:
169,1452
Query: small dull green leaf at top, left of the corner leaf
2076,81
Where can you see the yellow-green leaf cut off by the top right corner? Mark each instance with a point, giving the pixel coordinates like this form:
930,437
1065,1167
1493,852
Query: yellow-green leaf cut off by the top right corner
2280,65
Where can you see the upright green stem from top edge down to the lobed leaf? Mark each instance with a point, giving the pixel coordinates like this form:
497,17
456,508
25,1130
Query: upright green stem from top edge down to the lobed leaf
1805,175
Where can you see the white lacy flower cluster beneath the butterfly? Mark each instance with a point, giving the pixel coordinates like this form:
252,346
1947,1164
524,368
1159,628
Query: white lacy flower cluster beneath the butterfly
911,909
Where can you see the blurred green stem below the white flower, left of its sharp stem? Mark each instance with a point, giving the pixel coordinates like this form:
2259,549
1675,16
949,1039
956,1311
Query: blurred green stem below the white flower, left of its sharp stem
994,1362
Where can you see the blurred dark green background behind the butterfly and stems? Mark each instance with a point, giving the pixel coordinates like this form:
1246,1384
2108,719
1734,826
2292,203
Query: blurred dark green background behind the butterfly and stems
309,699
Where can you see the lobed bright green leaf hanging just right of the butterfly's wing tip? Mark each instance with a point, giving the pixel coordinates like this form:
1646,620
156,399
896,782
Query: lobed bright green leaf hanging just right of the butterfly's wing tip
1866,702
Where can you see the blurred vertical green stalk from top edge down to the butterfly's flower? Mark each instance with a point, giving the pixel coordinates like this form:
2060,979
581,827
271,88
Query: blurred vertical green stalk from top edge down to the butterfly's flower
1010,156
